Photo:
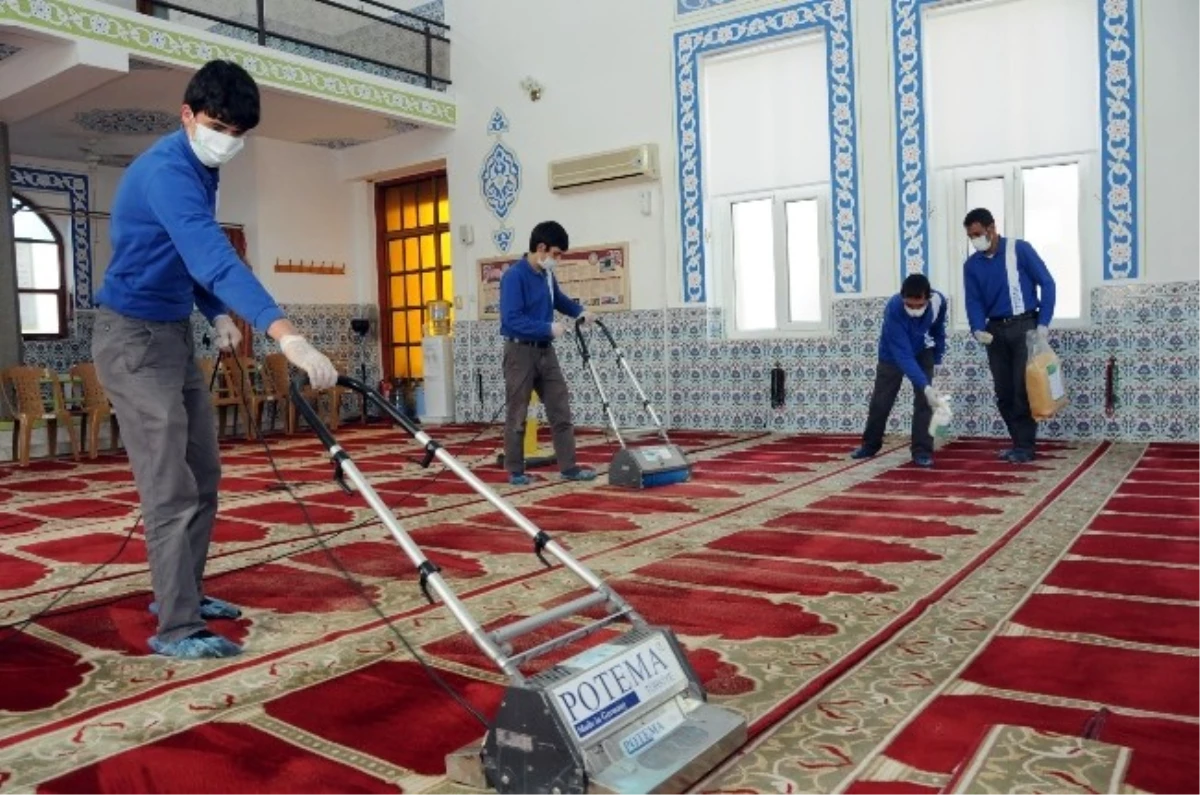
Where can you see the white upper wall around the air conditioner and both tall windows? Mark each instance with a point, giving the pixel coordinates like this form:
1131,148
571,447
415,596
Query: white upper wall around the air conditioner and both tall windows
609,83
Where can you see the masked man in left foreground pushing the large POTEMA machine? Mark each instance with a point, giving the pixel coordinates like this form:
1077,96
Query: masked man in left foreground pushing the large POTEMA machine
170,255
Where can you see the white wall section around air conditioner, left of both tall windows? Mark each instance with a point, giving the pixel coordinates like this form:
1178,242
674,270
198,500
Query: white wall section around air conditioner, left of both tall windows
619,51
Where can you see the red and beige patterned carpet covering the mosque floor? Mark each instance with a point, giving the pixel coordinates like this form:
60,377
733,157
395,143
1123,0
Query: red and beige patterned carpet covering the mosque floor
872,619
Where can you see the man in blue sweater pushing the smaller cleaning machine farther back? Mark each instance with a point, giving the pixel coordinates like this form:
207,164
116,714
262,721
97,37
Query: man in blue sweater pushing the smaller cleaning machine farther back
530,295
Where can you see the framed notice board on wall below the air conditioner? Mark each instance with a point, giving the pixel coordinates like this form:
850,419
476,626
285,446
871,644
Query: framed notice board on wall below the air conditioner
597,277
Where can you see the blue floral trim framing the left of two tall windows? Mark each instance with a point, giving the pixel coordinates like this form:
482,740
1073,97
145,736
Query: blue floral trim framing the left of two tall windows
835,19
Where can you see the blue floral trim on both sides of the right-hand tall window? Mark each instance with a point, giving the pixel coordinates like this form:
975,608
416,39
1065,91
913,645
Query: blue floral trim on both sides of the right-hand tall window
1119,136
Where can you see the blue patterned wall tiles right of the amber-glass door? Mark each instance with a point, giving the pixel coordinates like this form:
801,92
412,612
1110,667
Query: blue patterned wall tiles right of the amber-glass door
699,380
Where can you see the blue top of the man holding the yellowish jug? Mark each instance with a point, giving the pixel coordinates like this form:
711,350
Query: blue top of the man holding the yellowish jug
994,290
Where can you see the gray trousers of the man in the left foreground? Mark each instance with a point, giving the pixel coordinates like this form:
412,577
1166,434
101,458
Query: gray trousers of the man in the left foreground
166,414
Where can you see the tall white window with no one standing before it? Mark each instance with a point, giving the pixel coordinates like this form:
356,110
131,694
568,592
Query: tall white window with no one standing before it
767,186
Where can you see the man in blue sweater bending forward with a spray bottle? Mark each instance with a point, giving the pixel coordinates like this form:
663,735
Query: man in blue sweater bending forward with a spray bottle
911,344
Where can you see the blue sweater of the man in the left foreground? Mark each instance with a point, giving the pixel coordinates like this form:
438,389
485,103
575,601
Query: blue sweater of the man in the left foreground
170,254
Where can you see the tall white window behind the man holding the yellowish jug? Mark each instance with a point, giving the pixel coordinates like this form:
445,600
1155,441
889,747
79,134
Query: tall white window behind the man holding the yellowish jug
1012,109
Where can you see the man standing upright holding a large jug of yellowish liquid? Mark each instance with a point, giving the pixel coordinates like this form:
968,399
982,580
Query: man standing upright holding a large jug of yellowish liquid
1010,292
